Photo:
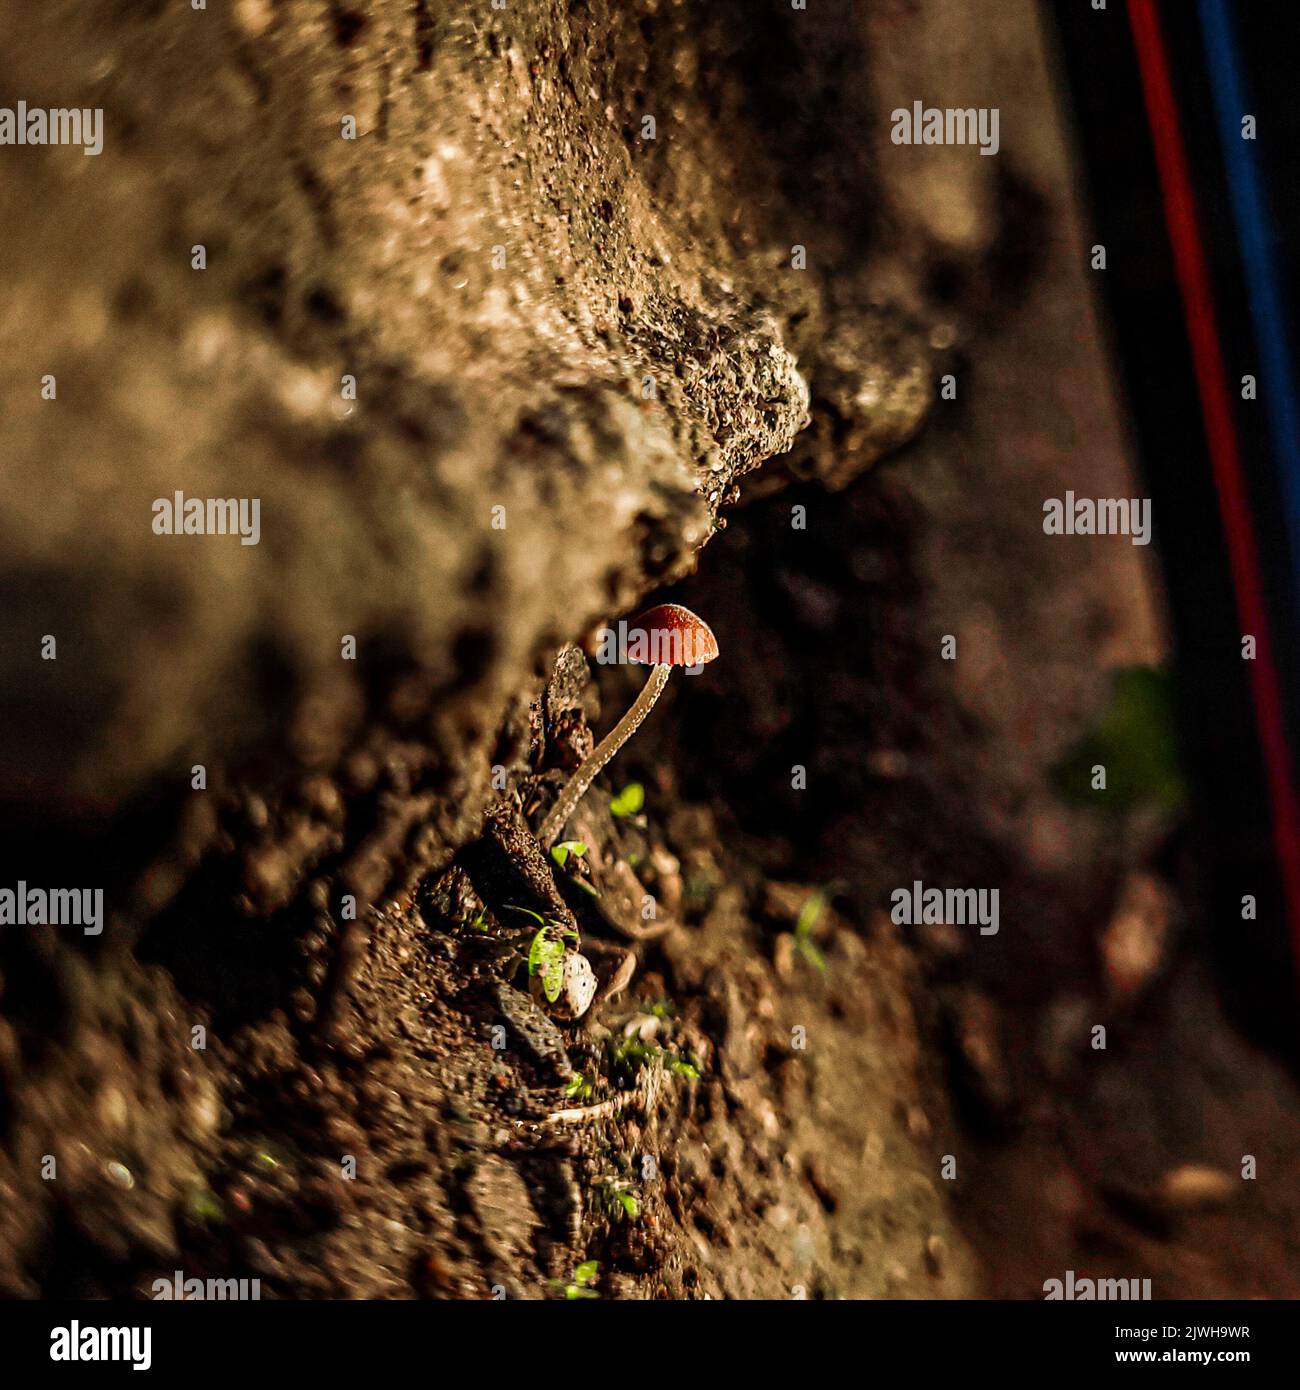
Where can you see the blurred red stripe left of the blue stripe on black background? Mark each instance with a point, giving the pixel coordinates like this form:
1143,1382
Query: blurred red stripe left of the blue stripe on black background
1194,280
